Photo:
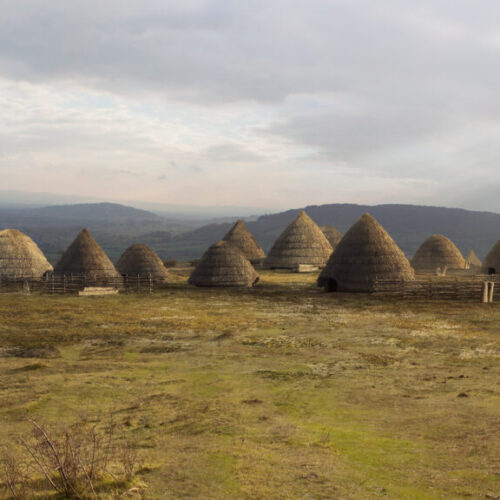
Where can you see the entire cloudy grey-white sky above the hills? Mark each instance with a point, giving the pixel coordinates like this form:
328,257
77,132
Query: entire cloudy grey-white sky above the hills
271,103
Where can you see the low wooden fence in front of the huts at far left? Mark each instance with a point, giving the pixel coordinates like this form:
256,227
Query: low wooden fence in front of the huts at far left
75,284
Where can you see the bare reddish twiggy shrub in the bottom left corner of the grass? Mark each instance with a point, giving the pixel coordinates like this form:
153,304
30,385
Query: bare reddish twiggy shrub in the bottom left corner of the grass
73,460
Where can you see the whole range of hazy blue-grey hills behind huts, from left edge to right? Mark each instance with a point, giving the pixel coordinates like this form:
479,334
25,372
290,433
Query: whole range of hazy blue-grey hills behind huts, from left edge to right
117,226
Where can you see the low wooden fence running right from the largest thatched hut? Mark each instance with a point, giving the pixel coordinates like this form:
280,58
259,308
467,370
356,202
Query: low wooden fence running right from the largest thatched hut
437,288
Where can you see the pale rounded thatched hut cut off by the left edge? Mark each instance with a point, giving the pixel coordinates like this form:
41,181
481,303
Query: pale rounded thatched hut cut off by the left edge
20,256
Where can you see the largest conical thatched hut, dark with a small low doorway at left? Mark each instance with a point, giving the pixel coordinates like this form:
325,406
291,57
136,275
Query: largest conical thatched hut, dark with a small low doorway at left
366,253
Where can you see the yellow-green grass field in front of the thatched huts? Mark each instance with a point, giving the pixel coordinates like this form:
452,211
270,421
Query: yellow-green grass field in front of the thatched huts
281,391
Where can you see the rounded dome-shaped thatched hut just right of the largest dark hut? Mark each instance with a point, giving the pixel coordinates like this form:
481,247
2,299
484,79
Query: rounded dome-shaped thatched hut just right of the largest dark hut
438,251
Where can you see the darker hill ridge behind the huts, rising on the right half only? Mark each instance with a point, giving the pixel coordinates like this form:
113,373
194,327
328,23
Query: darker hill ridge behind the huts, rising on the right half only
409,225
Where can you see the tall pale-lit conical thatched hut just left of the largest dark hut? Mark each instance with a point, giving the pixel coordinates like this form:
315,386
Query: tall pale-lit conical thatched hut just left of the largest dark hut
302,242
